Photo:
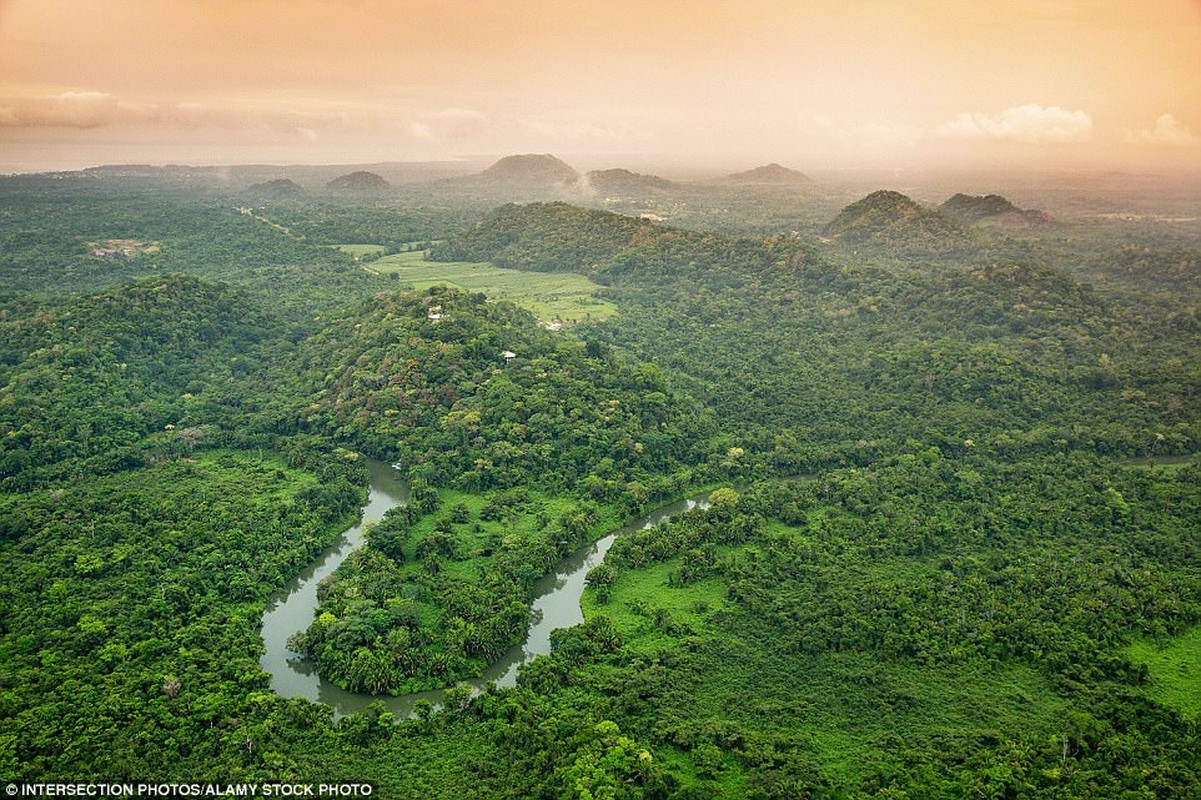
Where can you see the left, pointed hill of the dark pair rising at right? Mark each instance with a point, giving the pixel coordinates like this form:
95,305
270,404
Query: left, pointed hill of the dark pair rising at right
897,223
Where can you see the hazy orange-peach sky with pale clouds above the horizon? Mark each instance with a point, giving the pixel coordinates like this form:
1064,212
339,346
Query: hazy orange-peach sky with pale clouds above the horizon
814,85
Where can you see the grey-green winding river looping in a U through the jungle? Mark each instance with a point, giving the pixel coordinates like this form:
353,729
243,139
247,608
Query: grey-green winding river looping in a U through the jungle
557,605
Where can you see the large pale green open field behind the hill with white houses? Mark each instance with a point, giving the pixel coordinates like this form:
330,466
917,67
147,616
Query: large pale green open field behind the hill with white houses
564,297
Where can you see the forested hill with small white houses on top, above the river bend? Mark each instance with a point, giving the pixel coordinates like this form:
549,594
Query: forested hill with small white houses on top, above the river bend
479,396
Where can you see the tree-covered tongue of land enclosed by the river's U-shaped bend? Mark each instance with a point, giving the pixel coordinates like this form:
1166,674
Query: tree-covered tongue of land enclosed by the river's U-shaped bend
426,605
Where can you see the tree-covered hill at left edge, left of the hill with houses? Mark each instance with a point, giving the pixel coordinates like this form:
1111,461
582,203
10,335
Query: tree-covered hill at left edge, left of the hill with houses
87,379
